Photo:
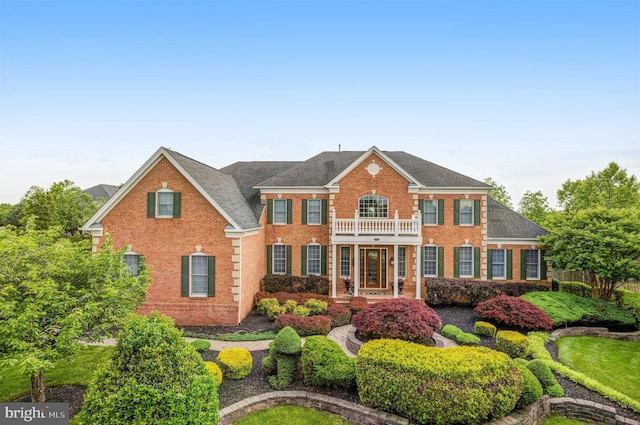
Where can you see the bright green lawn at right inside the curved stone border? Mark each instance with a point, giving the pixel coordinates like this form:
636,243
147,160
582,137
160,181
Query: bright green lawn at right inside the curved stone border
613,363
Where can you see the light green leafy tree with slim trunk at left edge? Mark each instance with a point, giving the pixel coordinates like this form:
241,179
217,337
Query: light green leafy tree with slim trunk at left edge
54,291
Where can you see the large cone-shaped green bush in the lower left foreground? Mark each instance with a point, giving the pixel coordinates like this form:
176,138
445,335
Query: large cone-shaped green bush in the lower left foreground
154,377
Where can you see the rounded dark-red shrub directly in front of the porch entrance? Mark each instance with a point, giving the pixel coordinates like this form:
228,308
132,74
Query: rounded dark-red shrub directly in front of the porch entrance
399,318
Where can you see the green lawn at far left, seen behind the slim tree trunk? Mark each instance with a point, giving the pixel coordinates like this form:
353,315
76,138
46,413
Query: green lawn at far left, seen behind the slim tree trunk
76,370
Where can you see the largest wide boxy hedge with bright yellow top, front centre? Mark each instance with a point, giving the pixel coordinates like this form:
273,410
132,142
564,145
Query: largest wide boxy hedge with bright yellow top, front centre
458,385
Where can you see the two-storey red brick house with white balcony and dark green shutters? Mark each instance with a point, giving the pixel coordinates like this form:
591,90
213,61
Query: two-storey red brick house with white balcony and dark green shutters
375,218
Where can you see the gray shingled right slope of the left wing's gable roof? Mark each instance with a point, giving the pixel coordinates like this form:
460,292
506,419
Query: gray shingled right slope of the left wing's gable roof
221,187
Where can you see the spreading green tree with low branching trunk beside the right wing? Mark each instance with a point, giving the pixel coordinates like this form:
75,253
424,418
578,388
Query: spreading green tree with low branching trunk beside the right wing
603,243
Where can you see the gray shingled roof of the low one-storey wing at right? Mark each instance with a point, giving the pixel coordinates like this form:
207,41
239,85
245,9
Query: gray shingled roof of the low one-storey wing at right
504,223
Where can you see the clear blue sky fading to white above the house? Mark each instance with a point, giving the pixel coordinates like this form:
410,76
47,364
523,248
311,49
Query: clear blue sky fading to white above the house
530,93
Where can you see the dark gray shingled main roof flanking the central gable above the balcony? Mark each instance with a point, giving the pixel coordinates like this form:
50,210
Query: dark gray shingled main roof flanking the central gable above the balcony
324,167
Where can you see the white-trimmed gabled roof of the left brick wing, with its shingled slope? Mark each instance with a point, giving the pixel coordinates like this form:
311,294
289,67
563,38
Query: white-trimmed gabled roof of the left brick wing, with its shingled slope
218,188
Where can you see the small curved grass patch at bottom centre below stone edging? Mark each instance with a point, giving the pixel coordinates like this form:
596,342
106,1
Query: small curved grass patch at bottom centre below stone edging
291,415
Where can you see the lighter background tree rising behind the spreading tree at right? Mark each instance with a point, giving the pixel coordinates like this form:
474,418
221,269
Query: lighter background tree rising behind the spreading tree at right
609,188
